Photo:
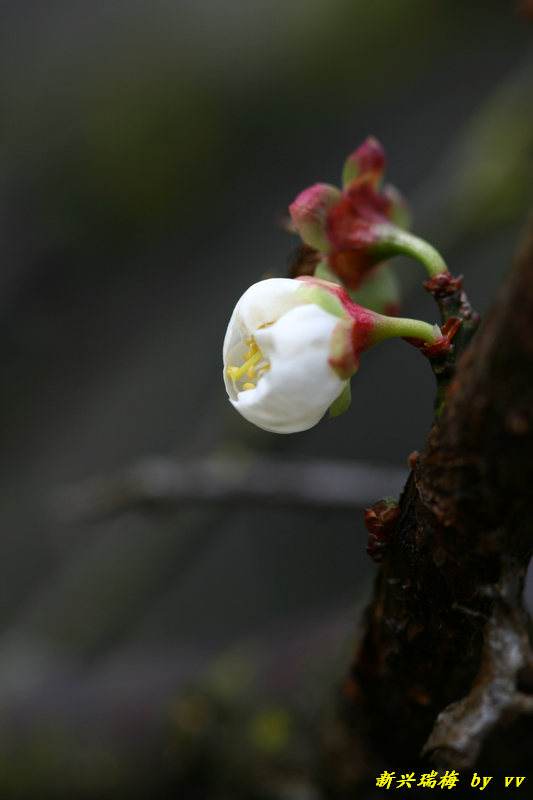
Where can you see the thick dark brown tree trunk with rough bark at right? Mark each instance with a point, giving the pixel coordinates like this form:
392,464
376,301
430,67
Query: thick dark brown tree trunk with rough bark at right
445,658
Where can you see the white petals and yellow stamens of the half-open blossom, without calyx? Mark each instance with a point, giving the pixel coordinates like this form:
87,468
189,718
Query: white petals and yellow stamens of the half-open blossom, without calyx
285,343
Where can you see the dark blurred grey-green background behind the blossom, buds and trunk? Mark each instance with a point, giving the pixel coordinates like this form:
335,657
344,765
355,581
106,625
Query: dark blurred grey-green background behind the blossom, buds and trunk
180,590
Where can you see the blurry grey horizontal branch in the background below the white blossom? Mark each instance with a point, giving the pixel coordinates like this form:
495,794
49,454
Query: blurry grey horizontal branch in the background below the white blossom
250,478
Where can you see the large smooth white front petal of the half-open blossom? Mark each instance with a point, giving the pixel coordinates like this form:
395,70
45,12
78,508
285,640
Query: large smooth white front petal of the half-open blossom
301,385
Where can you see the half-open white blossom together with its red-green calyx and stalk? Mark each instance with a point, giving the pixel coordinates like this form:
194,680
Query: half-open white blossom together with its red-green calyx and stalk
292,346
